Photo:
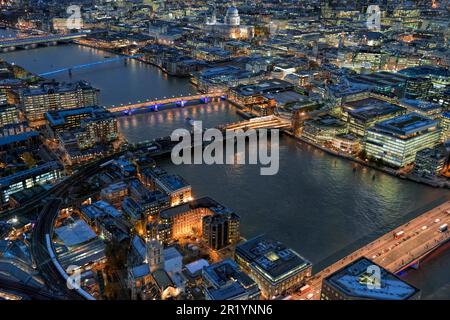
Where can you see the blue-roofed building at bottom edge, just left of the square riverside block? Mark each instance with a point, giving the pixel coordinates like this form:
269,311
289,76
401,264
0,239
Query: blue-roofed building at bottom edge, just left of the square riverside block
225,281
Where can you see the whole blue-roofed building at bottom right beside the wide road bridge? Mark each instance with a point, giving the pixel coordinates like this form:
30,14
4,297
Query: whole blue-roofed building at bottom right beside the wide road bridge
356,281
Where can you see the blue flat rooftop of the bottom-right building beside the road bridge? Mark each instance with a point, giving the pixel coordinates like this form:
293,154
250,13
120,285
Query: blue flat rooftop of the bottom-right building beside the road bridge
354,279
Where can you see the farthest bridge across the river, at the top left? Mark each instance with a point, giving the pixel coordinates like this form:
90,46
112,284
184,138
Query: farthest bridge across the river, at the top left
34,41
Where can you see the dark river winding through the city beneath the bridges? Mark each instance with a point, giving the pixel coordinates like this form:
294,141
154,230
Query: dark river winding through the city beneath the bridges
322,206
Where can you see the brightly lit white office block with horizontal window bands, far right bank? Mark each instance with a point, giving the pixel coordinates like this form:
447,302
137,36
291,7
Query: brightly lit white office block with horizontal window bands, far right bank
396,141
